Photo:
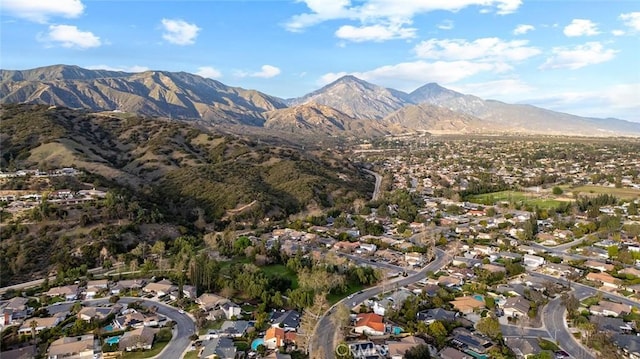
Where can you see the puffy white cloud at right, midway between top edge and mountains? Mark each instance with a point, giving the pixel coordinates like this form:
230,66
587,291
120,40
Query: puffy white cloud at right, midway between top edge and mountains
579,56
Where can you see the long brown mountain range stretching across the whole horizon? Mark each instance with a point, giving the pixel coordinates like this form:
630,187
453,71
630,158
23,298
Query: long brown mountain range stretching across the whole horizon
347,106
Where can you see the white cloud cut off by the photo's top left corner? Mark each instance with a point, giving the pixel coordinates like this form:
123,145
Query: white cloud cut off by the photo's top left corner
42,10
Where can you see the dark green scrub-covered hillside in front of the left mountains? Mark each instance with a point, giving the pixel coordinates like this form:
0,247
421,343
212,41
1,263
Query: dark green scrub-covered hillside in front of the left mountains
164,177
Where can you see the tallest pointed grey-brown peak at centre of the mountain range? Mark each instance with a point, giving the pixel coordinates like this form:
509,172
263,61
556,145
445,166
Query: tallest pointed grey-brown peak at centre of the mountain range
356,98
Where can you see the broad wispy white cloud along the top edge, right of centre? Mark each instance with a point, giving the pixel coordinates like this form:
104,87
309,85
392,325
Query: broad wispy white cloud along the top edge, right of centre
374,17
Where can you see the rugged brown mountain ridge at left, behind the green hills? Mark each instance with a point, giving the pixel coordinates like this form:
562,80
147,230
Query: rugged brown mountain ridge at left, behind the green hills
156,93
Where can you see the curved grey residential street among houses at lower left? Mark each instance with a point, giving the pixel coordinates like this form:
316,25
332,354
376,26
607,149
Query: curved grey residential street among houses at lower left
184,324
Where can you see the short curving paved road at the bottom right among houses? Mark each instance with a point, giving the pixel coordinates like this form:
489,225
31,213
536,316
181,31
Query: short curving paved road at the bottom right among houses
553,317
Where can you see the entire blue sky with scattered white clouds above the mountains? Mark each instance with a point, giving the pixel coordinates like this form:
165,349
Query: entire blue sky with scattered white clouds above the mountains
578,56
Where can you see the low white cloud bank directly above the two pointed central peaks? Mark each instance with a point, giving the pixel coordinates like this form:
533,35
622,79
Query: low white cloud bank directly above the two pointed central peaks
407,76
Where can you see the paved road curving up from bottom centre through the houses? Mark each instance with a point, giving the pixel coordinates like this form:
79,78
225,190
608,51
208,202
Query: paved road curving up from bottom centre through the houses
326,329
